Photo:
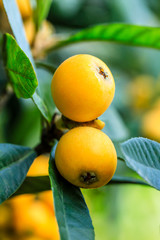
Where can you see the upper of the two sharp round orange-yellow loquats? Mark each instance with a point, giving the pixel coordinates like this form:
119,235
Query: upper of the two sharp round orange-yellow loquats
79,90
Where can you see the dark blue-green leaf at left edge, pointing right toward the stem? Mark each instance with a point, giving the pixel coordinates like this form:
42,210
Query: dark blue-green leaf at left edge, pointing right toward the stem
14,164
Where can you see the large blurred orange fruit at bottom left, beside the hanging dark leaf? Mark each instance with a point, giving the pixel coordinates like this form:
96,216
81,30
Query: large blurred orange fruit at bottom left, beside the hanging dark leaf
35,218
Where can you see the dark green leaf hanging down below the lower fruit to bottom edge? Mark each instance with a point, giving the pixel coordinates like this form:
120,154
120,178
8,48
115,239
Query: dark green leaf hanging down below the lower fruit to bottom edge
71,210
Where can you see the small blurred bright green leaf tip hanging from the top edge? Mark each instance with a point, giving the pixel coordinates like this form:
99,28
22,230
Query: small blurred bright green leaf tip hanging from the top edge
41,11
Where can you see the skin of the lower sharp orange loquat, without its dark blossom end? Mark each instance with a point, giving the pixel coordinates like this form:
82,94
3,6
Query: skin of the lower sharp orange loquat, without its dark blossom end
86,149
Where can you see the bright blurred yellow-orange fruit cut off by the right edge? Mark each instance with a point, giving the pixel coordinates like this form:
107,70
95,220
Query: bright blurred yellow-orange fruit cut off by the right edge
151,122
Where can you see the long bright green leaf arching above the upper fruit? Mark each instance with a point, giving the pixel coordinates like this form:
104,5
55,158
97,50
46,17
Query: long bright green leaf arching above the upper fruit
119,33
